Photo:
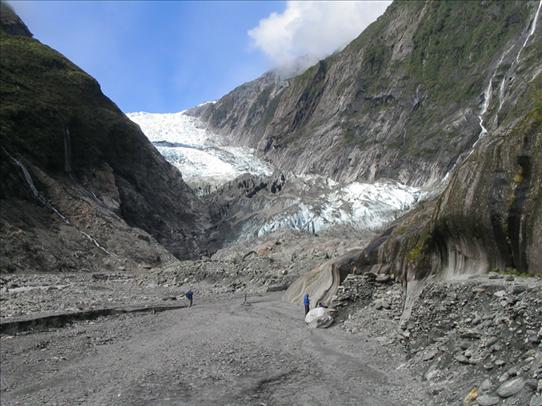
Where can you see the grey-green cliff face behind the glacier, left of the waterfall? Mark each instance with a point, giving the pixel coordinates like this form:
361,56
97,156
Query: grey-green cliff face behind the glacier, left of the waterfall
401,101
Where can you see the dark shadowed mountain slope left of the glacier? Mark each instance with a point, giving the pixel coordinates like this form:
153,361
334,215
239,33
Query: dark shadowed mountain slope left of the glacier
77,175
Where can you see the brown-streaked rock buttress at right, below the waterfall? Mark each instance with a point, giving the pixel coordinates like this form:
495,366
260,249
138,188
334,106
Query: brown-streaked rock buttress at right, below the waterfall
488,218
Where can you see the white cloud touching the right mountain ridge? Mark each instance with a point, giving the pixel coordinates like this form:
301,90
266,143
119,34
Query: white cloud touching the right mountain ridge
310,30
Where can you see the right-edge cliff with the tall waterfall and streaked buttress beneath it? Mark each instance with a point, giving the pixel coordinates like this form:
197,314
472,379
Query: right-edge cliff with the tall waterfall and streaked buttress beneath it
489,215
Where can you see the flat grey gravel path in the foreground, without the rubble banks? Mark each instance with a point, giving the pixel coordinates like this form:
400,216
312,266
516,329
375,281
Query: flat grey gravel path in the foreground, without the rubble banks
215,353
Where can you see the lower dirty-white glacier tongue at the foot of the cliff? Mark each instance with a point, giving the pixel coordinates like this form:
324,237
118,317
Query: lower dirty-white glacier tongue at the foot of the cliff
321,203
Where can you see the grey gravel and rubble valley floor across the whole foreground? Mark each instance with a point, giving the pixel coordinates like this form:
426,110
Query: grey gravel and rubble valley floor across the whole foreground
466,342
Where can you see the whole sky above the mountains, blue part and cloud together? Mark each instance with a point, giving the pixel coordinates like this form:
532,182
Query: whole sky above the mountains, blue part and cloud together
166,56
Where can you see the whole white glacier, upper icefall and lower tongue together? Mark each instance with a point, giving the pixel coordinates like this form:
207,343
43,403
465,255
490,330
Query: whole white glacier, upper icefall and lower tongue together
310,203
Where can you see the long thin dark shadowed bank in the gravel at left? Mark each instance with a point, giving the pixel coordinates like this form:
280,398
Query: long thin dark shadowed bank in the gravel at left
45,322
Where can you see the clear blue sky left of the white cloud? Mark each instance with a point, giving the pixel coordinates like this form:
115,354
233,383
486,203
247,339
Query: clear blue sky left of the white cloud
154,56
